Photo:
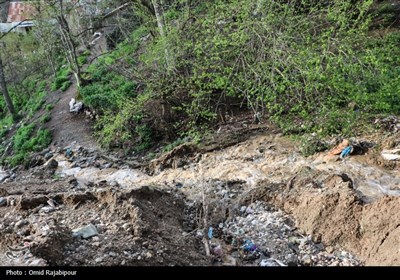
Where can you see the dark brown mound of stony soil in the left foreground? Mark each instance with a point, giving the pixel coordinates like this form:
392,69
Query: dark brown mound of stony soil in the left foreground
135,227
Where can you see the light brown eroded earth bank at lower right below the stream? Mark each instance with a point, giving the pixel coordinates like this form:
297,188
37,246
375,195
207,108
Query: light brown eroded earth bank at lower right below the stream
327,207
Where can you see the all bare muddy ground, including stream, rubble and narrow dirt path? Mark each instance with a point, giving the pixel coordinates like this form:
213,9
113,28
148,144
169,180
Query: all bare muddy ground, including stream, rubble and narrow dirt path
245,197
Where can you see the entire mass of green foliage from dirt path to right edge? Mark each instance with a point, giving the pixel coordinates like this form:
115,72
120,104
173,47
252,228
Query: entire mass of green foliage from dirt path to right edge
301,64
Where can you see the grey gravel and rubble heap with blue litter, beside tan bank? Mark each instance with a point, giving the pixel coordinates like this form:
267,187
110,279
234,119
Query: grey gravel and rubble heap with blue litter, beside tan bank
263,236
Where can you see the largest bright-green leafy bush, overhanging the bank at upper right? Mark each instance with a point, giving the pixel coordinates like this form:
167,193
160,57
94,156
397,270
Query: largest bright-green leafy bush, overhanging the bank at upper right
298,65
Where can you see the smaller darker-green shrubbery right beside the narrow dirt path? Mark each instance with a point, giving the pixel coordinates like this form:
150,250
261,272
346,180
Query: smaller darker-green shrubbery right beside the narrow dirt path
115,98
